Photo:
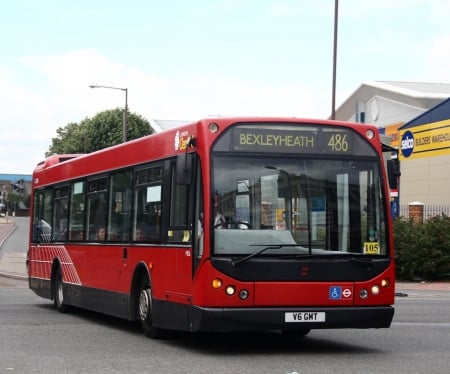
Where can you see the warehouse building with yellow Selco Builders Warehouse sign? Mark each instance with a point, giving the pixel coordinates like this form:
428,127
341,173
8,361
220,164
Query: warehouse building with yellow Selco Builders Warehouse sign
414,118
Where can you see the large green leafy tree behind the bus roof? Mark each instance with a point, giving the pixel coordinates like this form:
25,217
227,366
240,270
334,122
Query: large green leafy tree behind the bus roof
103,130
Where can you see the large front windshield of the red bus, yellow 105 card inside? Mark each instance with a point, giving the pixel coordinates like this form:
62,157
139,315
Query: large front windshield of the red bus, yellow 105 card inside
298,204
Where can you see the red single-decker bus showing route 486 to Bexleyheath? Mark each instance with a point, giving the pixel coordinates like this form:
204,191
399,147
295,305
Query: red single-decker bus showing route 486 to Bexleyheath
225,224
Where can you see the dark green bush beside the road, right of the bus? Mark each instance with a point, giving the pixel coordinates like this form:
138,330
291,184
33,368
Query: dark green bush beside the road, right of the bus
422,250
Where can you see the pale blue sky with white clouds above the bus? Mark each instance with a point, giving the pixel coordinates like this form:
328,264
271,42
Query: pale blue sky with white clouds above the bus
186,60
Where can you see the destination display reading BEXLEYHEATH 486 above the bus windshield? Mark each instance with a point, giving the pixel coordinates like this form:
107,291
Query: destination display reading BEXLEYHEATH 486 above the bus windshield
288,139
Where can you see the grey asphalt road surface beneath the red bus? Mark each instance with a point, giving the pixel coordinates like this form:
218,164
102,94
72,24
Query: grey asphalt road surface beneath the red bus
34,338
